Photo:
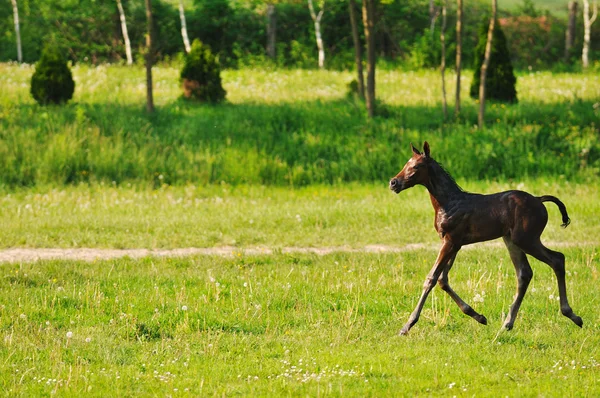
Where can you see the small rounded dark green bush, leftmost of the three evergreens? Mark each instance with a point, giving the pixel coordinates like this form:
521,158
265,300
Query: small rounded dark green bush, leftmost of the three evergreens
52,81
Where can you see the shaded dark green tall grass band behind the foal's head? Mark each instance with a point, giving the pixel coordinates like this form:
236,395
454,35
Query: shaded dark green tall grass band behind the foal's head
294,143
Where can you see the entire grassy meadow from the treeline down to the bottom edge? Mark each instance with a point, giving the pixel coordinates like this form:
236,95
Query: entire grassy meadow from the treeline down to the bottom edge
289,161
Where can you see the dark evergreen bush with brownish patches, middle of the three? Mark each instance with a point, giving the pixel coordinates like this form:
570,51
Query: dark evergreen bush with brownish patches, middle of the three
201,75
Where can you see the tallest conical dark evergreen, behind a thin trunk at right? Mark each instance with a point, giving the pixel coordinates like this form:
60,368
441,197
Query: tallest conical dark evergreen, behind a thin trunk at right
500,83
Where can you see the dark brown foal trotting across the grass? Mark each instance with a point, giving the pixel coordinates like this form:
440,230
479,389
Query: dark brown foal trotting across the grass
462,218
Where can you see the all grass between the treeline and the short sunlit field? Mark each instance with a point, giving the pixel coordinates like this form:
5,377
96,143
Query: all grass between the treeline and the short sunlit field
287,128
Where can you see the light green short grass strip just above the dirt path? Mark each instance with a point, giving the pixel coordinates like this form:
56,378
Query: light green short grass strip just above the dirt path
244,216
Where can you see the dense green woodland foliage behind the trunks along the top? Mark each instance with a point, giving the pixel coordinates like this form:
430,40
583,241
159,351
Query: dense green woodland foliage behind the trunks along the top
89,31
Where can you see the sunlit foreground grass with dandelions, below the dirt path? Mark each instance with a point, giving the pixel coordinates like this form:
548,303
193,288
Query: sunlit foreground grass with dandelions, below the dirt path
293,325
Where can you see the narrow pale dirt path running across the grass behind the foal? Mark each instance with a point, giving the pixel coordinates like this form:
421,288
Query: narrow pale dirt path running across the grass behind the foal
91,254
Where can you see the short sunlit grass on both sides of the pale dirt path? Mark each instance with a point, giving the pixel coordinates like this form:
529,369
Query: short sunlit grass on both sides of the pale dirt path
283,324
